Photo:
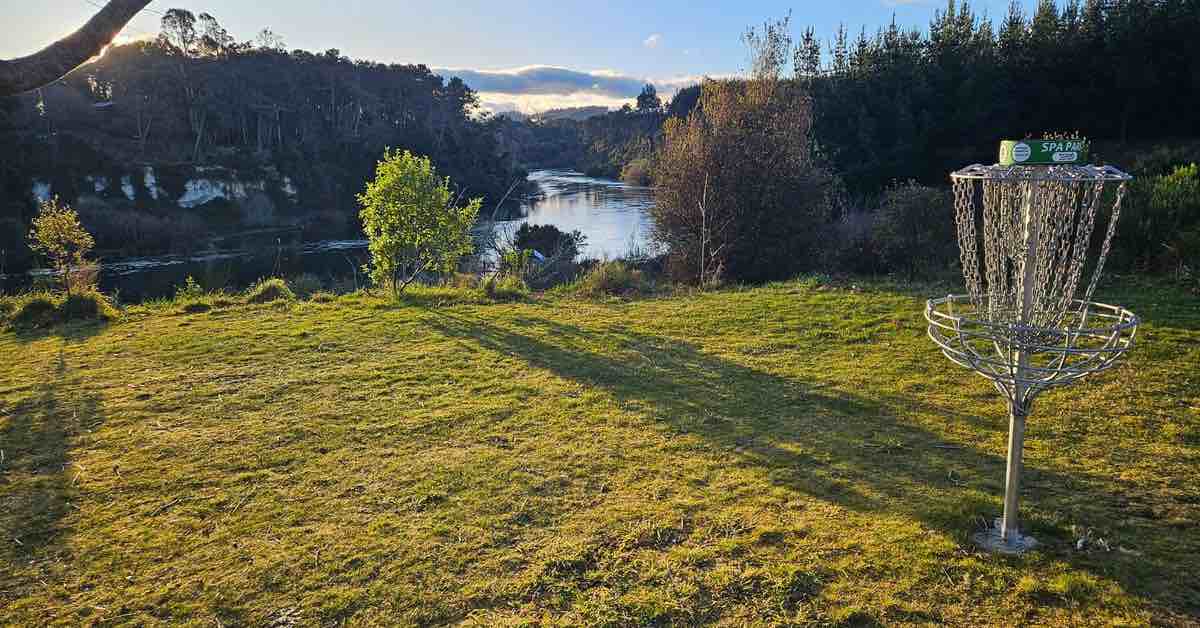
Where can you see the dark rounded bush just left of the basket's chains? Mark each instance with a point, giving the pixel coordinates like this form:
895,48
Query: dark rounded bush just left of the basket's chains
915,229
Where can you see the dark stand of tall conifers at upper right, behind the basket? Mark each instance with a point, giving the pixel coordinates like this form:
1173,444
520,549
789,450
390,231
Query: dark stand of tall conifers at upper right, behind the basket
917,105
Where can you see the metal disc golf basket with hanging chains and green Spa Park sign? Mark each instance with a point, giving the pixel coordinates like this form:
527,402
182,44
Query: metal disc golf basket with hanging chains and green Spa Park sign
1030,229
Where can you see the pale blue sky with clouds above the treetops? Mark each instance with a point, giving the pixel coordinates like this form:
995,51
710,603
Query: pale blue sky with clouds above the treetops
519,56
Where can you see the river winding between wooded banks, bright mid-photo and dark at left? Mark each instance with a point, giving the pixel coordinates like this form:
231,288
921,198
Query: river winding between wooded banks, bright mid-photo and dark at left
614,217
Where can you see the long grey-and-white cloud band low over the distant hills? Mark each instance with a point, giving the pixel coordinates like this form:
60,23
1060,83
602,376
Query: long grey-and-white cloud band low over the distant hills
539,88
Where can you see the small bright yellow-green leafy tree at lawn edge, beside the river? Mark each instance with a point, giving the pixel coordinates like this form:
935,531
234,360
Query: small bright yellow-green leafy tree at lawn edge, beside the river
413,223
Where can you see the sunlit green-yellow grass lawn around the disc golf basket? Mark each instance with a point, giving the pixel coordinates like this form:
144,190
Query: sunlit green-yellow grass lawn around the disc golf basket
788,454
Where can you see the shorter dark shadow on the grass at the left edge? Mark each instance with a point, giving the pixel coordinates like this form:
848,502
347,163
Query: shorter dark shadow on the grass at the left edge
37,488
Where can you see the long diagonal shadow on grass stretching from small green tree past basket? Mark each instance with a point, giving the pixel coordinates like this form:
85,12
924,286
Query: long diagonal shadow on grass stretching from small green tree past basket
850,450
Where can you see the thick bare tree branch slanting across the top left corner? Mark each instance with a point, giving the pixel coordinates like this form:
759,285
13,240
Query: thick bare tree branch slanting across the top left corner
56,61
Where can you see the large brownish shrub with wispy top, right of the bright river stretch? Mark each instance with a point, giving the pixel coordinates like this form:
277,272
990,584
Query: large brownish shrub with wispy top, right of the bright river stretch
740,192
